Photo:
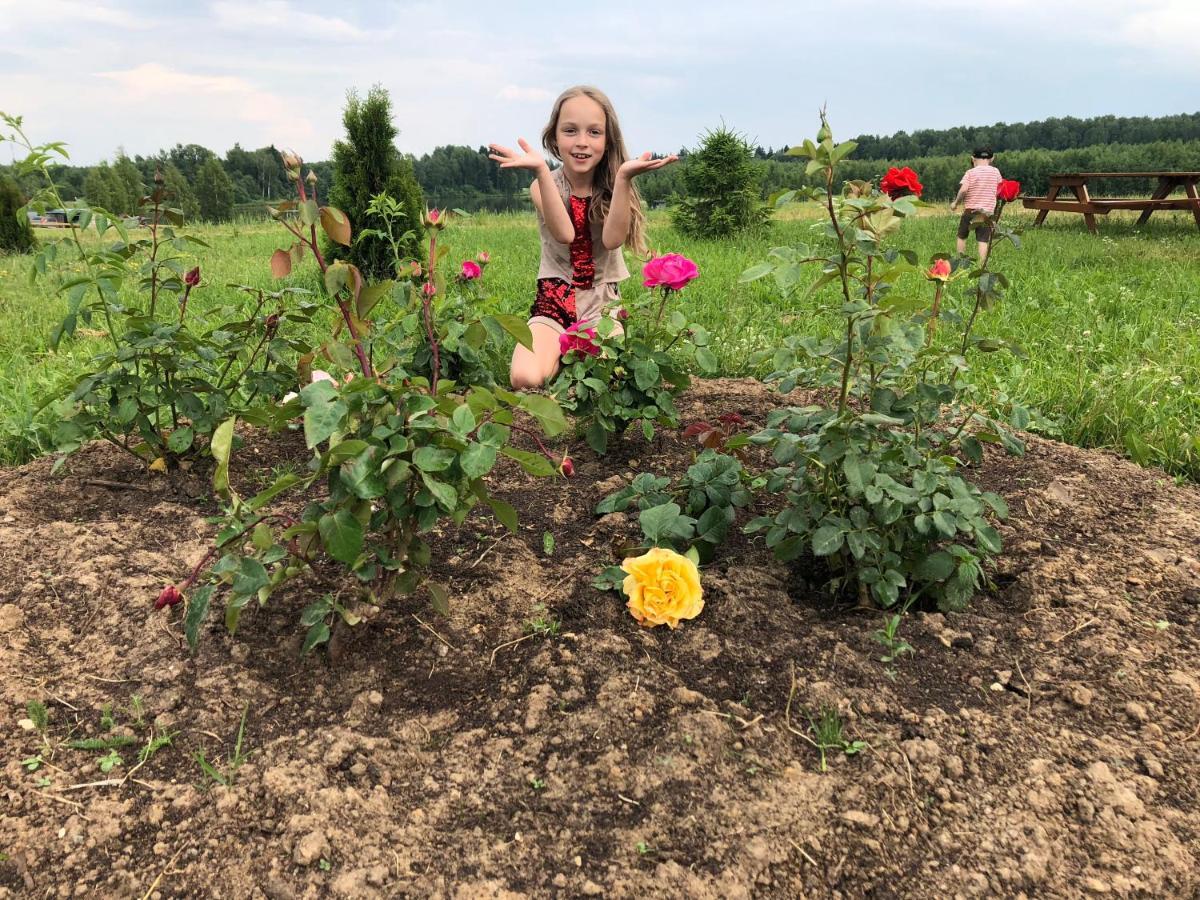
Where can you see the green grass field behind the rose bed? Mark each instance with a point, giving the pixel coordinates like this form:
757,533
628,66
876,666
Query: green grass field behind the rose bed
1111,326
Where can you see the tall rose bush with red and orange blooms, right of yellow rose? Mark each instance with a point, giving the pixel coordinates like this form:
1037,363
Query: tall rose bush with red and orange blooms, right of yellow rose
873,483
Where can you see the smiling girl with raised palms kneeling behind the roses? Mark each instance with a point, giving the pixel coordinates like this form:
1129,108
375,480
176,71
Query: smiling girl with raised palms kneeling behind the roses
587,211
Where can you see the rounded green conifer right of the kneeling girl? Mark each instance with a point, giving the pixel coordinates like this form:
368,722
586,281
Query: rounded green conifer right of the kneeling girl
721,189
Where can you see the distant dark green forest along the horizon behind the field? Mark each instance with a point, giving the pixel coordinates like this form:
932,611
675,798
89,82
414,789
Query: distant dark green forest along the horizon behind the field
241,184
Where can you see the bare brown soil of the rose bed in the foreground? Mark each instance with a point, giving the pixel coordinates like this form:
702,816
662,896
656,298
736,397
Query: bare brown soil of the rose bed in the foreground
1045,745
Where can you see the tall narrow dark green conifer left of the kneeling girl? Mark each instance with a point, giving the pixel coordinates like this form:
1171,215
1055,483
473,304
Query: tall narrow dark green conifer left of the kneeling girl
367,164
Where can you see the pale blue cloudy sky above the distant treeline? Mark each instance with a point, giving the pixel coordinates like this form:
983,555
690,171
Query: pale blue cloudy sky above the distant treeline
148,75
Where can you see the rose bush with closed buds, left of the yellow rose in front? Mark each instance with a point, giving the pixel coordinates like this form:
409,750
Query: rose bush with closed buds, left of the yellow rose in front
398,448
